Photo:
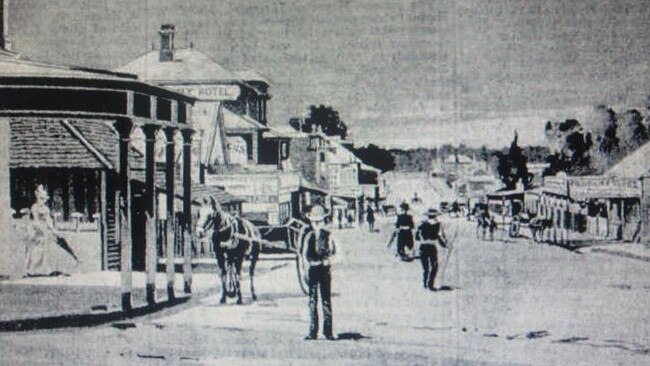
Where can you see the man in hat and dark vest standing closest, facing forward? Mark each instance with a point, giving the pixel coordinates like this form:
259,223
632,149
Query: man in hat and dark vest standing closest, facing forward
317,250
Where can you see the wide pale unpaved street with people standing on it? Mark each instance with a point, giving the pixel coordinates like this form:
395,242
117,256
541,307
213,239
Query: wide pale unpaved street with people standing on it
512,302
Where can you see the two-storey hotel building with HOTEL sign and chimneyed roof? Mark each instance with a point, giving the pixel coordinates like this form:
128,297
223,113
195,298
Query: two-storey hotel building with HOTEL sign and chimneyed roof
235,148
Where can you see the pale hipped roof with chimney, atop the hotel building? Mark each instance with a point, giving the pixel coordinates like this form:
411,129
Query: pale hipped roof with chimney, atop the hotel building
189,65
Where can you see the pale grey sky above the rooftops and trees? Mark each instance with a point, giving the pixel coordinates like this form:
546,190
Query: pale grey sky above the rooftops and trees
402,73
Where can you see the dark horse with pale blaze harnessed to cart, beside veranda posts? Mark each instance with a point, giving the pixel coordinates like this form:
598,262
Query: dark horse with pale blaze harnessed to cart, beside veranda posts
233,238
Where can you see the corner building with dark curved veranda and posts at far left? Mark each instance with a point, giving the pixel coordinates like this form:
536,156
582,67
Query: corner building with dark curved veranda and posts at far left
71,131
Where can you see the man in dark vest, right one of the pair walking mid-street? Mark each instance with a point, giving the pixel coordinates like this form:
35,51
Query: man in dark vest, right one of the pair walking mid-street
430,235
